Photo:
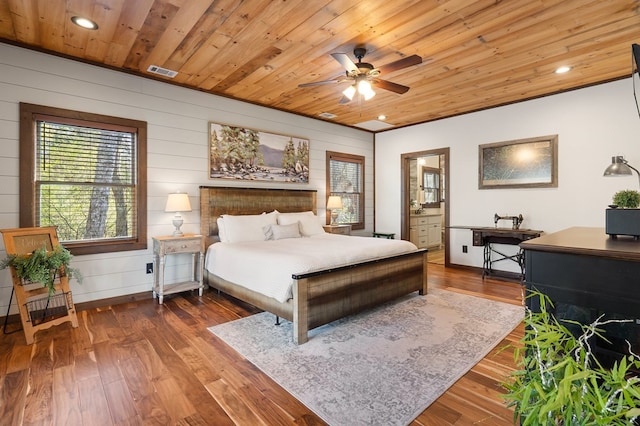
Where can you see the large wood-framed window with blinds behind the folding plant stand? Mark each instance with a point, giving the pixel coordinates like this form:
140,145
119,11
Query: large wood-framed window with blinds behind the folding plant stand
86,174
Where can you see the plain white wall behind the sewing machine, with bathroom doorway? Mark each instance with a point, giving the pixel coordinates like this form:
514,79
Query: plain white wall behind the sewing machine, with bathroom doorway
593,124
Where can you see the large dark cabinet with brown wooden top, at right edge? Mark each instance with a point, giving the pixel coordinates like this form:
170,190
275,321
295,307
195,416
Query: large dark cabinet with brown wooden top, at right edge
585,274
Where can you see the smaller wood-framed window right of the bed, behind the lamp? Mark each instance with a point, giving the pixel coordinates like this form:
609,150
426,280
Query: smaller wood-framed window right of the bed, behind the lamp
345,178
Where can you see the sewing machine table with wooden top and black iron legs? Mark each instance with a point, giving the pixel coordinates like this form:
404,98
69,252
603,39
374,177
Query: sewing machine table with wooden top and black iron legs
487,237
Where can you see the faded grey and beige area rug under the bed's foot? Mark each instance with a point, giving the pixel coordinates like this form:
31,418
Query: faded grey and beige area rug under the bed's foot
382,367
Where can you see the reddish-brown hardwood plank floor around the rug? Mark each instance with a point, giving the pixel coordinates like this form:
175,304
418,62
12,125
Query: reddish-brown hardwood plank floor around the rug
144,363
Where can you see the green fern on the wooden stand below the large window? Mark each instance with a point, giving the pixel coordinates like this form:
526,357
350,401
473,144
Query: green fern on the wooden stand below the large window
42,266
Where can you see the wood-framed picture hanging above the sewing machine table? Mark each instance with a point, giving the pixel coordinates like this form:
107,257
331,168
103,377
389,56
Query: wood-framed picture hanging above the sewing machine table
523,163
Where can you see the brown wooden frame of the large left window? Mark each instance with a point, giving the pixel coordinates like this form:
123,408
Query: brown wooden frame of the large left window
27,197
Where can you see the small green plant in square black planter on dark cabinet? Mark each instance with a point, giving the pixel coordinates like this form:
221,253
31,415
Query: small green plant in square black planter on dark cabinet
623,216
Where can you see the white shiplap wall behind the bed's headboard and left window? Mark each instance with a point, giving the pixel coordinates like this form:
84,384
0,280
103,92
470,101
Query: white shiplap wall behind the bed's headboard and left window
177,152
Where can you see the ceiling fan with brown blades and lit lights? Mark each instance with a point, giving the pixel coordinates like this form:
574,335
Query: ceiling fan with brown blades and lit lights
362,75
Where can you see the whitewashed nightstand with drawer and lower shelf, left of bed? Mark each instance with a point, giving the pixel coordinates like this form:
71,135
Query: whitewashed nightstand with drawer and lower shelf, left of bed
165,246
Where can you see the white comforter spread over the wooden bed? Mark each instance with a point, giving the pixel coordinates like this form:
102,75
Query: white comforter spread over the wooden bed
266,266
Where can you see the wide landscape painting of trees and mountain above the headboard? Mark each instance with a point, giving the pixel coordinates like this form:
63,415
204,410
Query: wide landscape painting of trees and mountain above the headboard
240,153
